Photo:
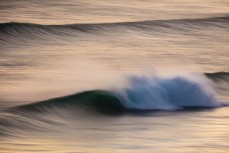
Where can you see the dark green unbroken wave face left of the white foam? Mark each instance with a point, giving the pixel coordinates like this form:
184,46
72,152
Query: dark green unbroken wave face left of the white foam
96,100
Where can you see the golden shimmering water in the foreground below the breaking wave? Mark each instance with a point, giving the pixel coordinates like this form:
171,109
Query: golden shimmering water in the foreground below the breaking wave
159,132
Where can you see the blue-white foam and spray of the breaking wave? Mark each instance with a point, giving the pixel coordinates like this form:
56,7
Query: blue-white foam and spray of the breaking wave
168,93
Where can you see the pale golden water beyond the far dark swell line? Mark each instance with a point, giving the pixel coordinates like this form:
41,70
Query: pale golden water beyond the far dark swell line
97,11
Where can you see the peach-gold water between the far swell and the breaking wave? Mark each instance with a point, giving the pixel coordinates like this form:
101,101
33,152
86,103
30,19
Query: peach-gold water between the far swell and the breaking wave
89,61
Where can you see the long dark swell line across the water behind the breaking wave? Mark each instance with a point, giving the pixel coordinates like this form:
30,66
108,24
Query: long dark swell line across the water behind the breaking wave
13,28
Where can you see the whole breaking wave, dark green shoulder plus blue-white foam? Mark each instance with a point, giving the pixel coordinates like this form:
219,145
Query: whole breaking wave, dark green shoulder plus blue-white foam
142,94
